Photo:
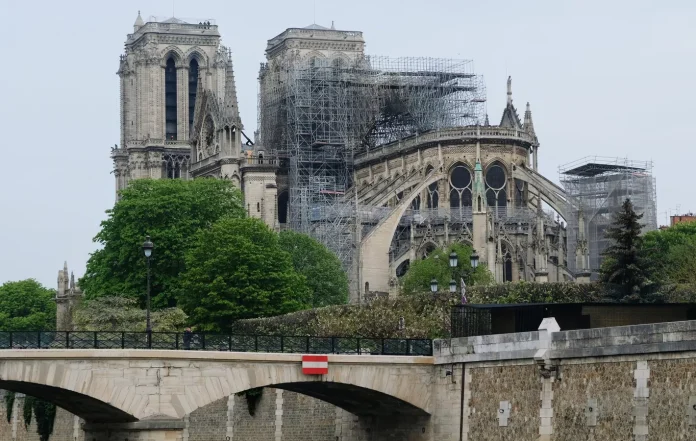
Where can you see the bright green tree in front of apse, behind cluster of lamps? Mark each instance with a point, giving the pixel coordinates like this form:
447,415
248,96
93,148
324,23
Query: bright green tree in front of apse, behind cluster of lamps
436,266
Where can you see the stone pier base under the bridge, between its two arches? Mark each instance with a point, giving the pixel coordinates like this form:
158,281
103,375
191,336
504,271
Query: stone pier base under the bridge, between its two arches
153,430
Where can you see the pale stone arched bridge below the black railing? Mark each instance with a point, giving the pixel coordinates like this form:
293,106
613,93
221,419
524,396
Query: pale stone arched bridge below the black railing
155,389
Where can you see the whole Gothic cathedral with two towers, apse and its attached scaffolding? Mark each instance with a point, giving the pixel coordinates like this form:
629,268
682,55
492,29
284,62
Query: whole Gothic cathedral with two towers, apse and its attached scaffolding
383,160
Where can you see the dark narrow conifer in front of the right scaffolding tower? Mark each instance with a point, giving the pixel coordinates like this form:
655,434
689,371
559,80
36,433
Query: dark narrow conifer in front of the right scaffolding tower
625,271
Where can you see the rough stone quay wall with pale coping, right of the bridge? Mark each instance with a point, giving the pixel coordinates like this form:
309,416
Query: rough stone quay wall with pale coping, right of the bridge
621,383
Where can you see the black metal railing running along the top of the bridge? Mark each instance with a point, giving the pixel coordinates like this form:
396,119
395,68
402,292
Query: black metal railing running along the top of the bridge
213,342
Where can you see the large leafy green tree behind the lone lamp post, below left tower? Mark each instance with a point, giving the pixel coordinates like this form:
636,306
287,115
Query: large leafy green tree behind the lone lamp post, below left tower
171,211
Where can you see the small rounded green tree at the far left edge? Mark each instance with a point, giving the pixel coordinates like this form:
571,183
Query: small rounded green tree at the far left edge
27,305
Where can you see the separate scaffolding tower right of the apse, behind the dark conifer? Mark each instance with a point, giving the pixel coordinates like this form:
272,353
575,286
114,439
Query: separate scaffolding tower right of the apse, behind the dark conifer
597,187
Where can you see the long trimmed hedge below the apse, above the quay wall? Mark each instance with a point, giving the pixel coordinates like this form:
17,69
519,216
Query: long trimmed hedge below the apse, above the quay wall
424,315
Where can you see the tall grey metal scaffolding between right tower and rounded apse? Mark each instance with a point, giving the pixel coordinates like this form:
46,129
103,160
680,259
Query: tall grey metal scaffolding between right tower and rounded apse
316,114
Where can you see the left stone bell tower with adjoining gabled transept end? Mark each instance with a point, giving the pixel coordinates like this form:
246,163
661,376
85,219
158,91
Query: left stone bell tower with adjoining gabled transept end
179,113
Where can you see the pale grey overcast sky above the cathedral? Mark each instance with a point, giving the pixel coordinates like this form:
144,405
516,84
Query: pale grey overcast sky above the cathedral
610,78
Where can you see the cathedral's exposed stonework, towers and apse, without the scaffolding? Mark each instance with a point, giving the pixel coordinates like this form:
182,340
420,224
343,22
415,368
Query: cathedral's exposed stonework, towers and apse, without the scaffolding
476,184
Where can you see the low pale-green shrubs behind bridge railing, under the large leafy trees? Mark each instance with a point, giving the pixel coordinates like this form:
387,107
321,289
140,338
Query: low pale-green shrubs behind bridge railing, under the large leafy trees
123,314
